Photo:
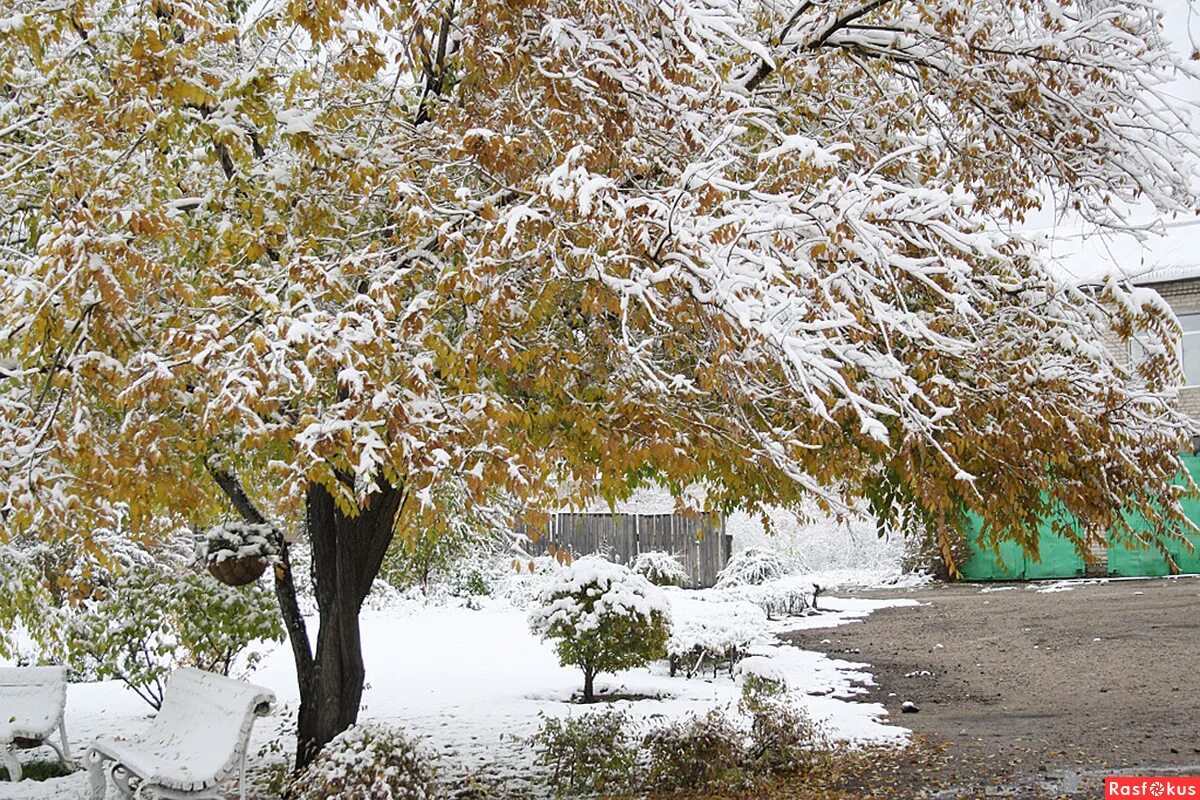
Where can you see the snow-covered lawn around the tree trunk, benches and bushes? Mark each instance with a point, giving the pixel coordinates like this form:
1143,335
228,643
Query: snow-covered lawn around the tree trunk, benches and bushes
472,683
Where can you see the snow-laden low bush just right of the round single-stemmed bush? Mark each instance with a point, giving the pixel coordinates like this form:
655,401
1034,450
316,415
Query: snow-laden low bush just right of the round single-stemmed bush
711,634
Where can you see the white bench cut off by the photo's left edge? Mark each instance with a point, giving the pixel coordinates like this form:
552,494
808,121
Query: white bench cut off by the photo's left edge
32,705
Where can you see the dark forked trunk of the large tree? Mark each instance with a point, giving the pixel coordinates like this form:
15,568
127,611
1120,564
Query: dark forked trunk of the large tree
347,554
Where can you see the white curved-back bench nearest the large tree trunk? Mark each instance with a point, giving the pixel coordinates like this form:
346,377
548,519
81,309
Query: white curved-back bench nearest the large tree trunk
197,741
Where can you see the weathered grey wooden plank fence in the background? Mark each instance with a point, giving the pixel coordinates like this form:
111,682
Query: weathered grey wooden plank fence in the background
699,543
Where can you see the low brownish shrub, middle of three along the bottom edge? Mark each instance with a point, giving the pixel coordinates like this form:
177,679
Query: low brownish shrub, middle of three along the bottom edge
703,754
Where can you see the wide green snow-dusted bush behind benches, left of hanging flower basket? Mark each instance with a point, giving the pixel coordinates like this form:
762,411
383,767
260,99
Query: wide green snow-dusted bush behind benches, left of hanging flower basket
152,622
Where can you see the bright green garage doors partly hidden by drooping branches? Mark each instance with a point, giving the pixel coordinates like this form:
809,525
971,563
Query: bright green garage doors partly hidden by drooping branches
1059,558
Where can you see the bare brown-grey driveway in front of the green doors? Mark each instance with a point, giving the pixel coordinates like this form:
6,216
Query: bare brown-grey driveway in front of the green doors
1040,689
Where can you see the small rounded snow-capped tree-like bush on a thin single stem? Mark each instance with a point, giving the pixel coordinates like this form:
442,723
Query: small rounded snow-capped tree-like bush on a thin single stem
603,618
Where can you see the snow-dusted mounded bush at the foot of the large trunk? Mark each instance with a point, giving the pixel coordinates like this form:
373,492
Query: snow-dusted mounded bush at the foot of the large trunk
368,763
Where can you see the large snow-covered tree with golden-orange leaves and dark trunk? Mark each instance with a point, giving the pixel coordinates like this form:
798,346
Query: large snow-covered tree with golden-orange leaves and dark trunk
313,261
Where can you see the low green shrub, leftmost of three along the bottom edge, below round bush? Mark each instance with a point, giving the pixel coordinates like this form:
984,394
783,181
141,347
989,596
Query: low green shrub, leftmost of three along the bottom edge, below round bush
591,754
